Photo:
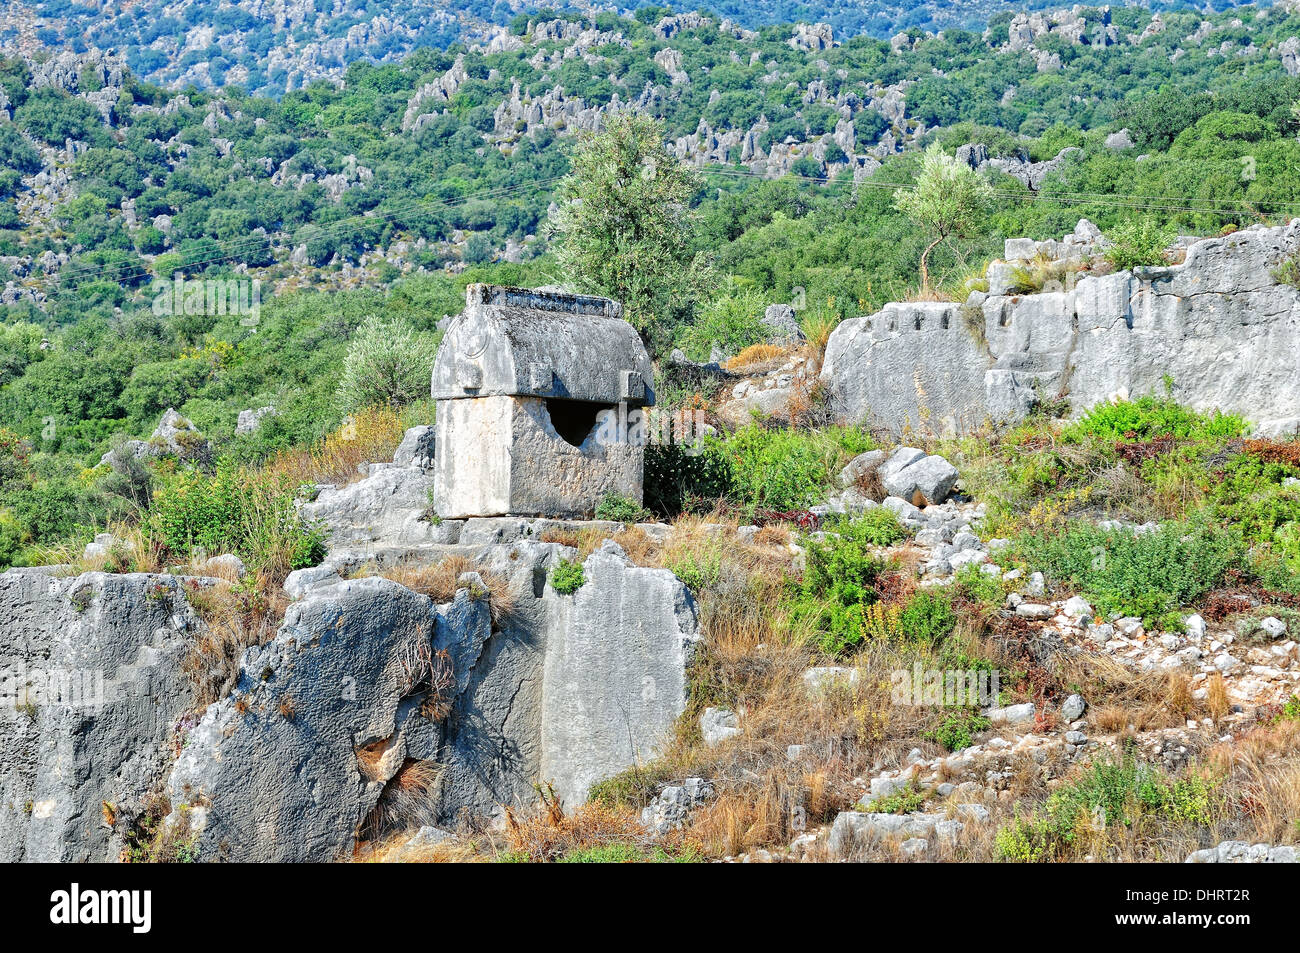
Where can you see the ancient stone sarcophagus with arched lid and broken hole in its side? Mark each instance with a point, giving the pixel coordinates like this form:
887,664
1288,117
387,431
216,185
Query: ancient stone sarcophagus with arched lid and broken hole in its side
534,395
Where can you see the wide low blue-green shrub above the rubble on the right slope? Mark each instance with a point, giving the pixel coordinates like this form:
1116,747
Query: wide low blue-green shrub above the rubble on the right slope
1147,575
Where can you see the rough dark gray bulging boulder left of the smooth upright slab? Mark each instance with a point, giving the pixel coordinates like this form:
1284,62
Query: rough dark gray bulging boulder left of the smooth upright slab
324,717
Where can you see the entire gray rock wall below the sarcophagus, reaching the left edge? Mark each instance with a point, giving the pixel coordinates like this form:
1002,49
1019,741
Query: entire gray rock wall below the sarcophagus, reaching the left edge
331,734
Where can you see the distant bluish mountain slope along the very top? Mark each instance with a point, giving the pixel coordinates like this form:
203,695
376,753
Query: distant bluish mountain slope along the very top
274,46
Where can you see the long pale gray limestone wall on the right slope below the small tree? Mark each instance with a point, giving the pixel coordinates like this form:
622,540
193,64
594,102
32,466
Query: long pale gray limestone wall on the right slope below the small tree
1219,326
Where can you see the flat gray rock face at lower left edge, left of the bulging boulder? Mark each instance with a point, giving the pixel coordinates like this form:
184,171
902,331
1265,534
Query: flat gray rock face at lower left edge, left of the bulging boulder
118,643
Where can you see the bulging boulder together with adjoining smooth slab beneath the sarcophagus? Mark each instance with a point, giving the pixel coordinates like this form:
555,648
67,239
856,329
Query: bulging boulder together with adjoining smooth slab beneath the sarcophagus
561,690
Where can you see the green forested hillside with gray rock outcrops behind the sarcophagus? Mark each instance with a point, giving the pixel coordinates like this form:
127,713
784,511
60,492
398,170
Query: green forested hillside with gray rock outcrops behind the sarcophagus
385,194
